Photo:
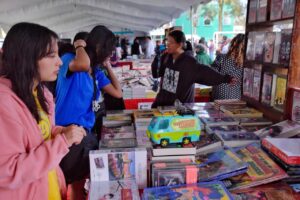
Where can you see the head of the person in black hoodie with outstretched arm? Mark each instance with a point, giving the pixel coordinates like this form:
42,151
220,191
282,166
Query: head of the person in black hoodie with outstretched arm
176,41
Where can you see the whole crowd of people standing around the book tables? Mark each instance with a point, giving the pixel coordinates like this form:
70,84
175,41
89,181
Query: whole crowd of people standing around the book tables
51,143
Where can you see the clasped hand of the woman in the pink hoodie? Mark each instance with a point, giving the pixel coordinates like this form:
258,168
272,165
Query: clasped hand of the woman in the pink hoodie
73,134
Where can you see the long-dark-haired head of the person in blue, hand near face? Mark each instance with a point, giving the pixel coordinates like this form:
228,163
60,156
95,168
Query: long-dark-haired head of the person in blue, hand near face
100,44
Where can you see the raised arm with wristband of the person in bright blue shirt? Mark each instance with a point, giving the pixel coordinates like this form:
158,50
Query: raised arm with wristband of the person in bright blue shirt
81,62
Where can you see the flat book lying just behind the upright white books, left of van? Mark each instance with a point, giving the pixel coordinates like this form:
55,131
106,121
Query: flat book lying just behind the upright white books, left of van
118,143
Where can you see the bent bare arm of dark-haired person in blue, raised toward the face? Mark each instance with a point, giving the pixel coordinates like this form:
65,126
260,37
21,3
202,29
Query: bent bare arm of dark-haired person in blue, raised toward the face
114,89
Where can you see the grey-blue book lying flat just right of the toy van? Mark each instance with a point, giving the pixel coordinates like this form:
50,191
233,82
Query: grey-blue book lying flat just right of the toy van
237,138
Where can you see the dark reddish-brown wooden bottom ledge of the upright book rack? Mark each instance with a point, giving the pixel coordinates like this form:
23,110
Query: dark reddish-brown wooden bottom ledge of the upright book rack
269,112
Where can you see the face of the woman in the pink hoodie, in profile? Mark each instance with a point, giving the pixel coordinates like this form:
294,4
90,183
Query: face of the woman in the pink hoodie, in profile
49,65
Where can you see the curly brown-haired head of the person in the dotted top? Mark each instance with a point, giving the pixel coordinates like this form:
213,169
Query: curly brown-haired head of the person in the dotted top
236,49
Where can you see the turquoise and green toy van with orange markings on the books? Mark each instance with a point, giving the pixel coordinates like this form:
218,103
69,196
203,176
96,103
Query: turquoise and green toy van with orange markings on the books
165,130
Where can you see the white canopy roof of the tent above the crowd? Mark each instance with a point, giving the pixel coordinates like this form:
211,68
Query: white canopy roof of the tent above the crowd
67,16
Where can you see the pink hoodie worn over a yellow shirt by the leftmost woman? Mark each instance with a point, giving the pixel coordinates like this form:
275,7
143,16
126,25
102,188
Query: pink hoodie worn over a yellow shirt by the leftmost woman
25,159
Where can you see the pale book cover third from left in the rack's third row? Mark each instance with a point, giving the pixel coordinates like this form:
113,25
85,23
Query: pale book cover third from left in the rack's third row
266,93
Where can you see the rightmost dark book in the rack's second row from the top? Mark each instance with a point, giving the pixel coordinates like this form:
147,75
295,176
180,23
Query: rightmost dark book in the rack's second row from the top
285,47
